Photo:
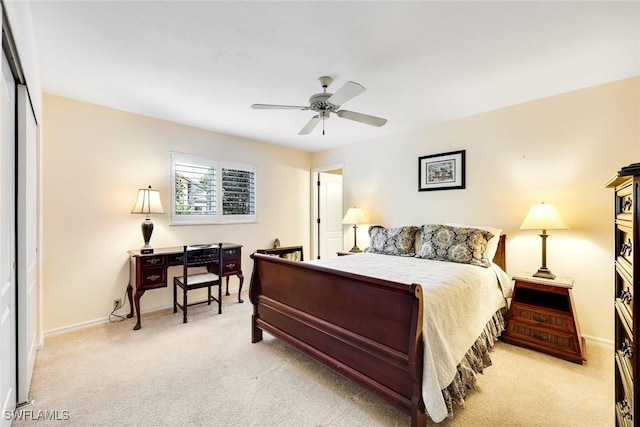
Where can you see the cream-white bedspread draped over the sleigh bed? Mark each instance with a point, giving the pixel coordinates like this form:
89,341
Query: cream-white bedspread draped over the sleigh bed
459,300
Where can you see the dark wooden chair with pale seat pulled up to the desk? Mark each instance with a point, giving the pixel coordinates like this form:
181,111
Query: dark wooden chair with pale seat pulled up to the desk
209,256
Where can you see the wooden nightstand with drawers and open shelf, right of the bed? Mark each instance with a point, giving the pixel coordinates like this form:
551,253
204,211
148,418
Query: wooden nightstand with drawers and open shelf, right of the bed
542,317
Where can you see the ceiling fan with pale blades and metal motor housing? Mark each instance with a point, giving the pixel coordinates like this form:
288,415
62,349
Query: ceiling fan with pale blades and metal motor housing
326,103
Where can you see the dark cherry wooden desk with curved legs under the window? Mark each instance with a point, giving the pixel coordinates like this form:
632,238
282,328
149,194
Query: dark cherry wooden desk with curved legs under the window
149,271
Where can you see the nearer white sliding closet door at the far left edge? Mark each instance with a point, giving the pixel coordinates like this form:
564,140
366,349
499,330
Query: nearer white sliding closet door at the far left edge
7,245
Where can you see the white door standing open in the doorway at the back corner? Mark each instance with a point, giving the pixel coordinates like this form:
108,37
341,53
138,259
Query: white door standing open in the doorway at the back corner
330,228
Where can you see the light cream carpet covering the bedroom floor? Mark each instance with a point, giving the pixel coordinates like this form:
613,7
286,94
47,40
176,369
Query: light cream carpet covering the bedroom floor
207,373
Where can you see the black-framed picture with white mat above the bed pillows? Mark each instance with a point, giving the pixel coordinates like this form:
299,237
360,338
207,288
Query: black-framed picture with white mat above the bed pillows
443,171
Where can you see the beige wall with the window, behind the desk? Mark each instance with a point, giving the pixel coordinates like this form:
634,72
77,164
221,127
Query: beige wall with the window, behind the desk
96,158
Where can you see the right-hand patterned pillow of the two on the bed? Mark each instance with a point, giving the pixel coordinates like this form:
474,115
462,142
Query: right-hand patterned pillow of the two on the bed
464,245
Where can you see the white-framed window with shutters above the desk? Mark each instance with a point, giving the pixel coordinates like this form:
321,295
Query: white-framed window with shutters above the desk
210,191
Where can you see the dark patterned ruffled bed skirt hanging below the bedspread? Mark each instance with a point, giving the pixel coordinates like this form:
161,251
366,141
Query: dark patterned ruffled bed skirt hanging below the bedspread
474,362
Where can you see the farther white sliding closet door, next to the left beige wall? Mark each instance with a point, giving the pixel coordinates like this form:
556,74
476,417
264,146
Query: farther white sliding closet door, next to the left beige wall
27,242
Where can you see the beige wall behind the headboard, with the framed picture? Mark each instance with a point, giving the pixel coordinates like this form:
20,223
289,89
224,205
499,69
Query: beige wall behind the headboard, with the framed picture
560,150
